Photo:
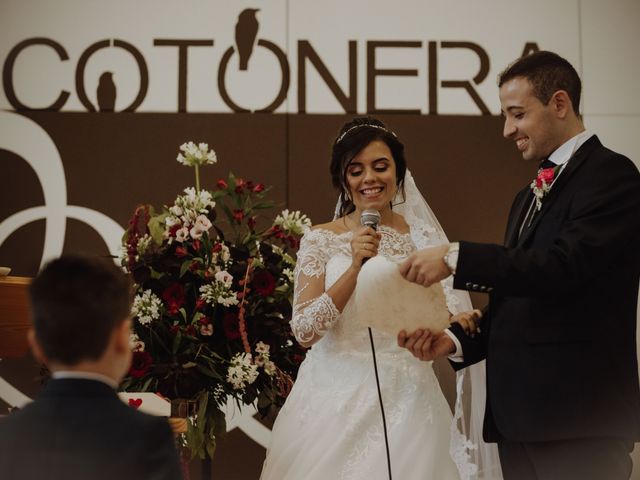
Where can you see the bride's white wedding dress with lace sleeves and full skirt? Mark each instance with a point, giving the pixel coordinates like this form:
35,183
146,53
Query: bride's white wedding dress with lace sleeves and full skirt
330,427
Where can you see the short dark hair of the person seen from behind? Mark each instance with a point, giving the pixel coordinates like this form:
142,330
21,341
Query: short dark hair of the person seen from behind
76,304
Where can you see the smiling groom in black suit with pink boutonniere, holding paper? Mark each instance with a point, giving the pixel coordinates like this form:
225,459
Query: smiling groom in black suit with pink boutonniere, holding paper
559,333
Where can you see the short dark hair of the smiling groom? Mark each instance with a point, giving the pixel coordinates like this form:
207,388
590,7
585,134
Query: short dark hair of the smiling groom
547,72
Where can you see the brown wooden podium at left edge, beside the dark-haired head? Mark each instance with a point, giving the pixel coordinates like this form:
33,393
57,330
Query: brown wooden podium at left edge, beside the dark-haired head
14,316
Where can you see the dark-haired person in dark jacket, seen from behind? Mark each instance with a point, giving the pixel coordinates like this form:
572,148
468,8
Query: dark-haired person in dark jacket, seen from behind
78,428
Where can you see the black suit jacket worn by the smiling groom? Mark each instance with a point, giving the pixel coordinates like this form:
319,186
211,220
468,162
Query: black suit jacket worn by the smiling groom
559,334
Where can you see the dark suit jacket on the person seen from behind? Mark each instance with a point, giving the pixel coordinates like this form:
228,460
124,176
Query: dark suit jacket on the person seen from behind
80,430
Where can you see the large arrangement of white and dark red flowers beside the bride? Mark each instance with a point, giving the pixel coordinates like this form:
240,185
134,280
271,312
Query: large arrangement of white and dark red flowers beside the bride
213,300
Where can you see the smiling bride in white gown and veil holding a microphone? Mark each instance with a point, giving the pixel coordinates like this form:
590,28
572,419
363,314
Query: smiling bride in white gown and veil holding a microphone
331,426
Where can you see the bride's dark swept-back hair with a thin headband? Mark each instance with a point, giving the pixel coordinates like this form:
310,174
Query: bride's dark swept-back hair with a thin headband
354,136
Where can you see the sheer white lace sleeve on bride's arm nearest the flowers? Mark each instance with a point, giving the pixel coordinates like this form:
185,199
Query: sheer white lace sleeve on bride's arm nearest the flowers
313,310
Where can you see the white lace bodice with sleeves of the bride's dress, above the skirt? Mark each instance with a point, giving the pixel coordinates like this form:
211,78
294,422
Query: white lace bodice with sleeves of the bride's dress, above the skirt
323,257
